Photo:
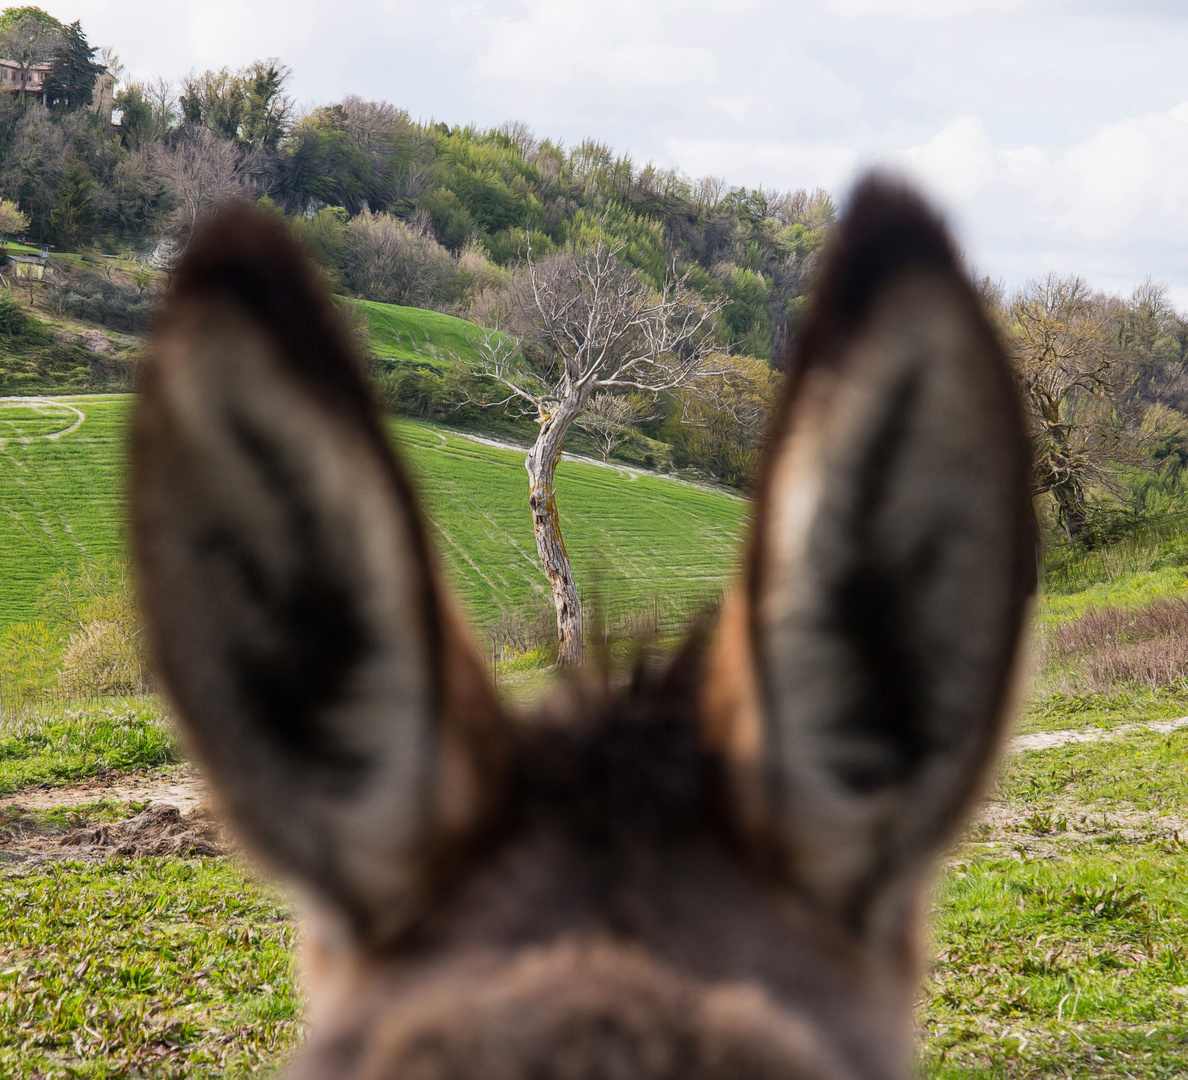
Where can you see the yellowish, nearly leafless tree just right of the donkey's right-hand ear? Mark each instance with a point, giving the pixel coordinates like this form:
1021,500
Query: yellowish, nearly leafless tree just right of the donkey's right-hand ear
1069,374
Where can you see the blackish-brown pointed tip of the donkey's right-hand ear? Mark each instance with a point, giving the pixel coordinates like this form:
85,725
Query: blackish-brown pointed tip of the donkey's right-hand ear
887,229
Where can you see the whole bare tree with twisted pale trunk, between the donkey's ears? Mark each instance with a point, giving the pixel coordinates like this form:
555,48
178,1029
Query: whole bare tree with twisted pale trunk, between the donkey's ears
599,329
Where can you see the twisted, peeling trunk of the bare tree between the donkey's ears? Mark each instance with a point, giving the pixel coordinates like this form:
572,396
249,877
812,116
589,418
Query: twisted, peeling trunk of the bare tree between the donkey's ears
542,465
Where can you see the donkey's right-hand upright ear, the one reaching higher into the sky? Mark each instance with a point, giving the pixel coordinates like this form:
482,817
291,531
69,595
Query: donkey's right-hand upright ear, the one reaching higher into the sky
868,662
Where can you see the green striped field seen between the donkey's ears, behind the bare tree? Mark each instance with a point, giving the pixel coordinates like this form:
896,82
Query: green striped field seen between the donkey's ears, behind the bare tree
631,538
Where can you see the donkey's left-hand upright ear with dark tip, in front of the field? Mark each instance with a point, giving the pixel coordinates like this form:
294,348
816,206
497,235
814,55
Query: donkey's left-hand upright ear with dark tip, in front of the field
292,601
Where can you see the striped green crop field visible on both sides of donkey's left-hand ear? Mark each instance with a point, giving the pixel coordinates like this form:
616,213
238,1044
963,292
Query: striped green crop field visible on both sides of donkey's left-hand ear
634,539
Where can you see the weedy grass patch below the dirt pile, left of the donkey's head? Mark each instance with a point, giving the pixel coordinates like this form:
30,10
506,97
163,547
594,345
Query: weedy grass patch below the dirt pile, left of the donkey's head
144,968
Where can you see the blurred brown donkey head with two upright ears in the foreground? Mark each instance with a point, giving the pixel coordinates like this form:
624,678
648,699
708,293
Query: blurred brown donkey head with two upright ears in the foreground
715,871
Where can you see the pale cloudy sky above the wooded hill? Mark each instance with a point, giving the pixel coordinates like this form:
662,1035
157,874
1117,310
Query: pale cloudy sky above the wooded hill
1054,132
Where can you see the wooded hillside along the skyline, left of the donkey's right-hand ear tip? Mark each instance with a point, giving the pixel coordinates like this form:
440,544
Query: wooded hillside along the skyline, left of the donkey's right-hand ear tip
457,204
